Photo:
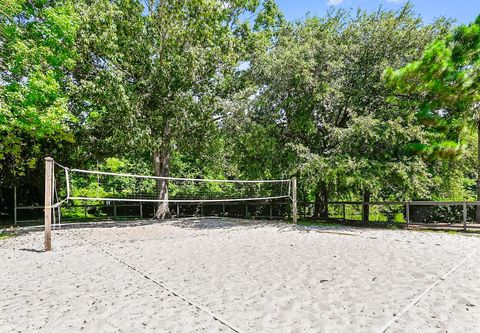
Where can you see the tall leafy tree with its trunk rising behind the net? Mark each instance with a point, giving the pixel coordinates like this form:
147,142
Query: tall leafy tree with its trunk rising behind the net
150,72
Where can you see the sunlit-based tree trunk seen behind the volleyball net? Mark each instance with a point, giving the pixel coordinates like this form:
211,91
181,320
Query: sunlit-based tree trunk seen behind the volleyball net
161,162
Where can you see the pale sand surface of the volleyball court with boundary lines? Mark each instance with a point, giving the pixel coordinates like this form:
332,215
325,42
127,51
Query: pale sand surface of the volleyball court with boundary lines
253,277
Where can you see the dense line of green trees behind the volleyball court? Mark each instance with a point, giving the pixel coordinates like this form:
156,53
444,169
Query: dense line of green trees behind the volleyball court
358,105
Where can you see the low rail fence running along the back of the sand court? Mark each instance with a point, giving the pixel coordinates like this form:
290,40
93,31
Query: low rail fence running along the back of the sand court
436,214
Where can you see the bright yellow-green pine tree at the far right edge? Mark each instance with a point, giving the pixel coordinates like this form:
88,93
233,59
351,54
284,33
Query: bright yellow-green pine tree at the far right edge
444,86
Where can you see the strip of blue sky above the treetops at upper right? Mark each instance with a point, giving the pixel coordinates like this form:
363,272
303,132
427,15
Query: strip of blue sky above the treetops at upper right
463,11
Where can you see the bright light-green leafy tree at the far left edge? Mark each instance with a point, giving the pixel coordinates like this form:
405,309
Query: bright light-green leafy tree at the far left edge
36,54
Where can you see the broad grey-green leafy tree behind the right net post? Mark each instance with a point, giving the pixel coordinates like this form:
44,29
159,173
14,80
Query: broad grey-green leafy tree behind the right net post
323,78
